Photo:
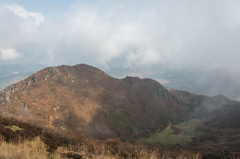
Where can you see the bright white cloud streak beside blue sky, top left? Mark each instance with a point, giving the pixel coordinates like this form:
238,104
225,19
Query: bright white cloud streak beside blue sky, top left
23,13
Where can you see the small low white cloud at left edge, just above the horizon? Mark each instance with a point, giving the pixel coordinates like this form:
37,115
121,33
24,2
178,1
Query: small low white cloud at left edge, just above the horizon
9,54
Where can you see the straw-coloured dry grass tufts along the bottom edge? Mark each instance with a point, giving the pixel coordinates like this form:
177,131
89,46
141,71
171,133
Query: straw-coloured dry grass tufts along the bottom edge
111,149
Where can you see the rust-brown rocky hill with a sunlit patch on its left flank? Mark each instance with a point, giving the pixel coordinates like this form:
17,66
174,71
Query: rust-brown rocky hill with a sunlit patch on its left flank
83,98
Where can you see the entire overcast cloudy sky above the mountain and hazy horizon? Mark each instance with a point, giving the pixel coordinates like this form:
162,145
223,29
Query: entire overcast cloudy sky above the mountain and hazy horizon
125,34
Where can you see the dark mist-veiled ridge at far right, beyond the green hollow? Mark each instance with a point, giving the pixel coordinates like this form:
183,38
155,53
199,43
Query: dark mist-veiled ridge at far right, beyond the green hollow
217,111
